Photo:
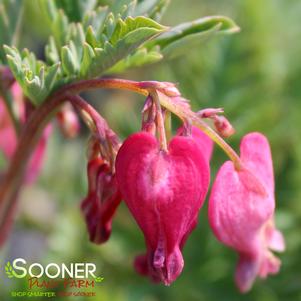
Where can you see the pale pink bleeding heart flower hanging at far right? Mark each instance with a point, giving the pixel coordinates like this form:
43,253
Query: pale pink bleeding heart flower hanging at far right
241,211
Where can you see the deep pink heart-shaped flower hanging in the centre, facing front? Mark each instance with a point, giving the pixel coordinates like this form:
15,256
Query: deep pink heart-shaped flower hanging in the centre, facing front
164,191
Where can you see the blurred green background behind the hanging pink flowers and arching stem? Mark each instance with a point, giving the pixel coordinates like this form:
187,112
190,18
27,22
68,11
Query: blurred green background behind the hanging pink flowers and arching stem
255,76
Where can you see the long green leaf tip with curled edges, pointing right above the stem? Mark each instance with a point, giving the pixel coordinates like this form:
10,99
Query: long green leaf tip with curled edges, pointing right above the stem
188,34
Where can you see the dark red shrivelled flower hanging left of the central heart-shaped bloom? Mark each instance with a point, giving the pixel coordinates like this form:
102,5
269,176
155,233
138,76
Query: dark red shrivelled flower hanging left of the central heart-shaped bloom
101,202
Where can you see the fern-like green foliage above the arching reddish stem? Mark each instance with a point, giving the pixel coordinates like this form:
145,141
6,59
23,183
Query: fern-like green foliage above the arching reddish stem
87,40
